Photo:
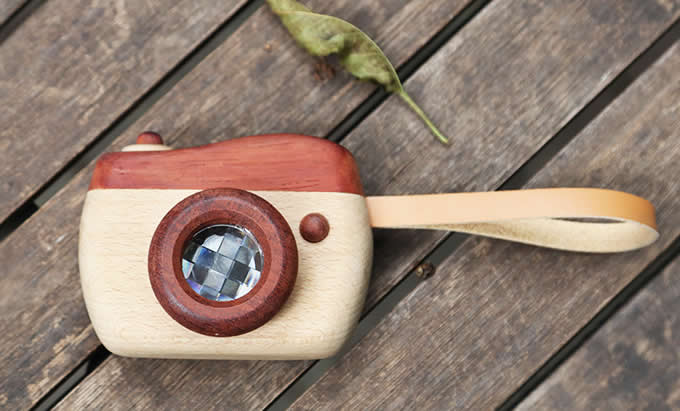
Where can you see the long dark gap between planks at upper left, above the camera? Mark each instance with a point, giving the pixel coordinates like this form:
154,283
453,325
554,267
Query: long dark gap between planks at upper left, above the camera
127,118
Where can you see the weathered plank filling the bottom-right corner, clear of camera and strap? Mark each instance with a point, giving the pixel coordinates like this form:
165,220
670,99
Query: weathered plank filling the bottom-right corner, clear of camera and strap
629,364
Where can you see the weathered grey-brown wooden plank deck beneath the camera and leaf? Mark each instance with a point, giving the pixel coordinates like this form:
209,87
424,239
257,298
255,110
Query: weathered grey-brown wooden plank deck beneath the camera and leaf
531,93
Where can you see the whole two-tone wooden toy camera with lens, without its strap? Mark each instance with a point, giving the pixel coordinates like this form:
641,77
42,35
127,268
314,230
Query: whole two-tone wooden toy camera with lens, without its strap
159,277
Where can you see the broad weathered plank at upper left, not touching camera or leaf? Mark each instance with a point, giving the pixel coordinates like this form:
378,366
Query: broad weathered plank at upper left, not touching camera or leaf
73,67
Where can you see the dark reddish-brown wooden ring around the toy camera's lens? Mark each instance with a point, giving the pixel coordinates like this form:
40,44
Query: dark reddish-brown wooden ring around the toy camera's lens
223,206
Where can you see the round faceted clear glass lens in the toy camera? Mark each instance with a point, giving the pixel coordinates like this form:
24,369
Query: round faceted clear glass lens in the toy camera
222,262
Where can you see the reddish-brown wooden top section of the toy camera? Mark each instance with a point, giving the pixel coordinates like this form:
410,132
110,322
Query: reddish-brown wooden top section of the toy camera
286,162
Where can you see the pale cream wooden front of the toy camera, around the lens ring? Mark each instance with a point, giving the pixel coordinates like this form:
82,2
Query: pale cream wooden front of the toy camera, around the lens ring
314,322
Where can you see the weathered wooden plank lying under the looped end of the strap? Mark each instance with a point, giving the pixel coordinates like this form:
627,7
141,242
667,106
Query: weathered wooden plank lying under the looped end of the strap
495,311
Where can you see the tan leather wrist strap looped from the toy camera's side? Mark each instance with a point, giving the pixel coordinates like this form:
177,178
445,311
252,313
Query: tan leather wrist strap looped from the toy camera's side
544,217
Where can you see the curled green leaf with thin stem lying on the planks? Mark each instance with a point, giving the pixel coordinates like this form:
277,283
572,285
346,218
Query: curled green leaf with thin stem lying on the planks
322,35
